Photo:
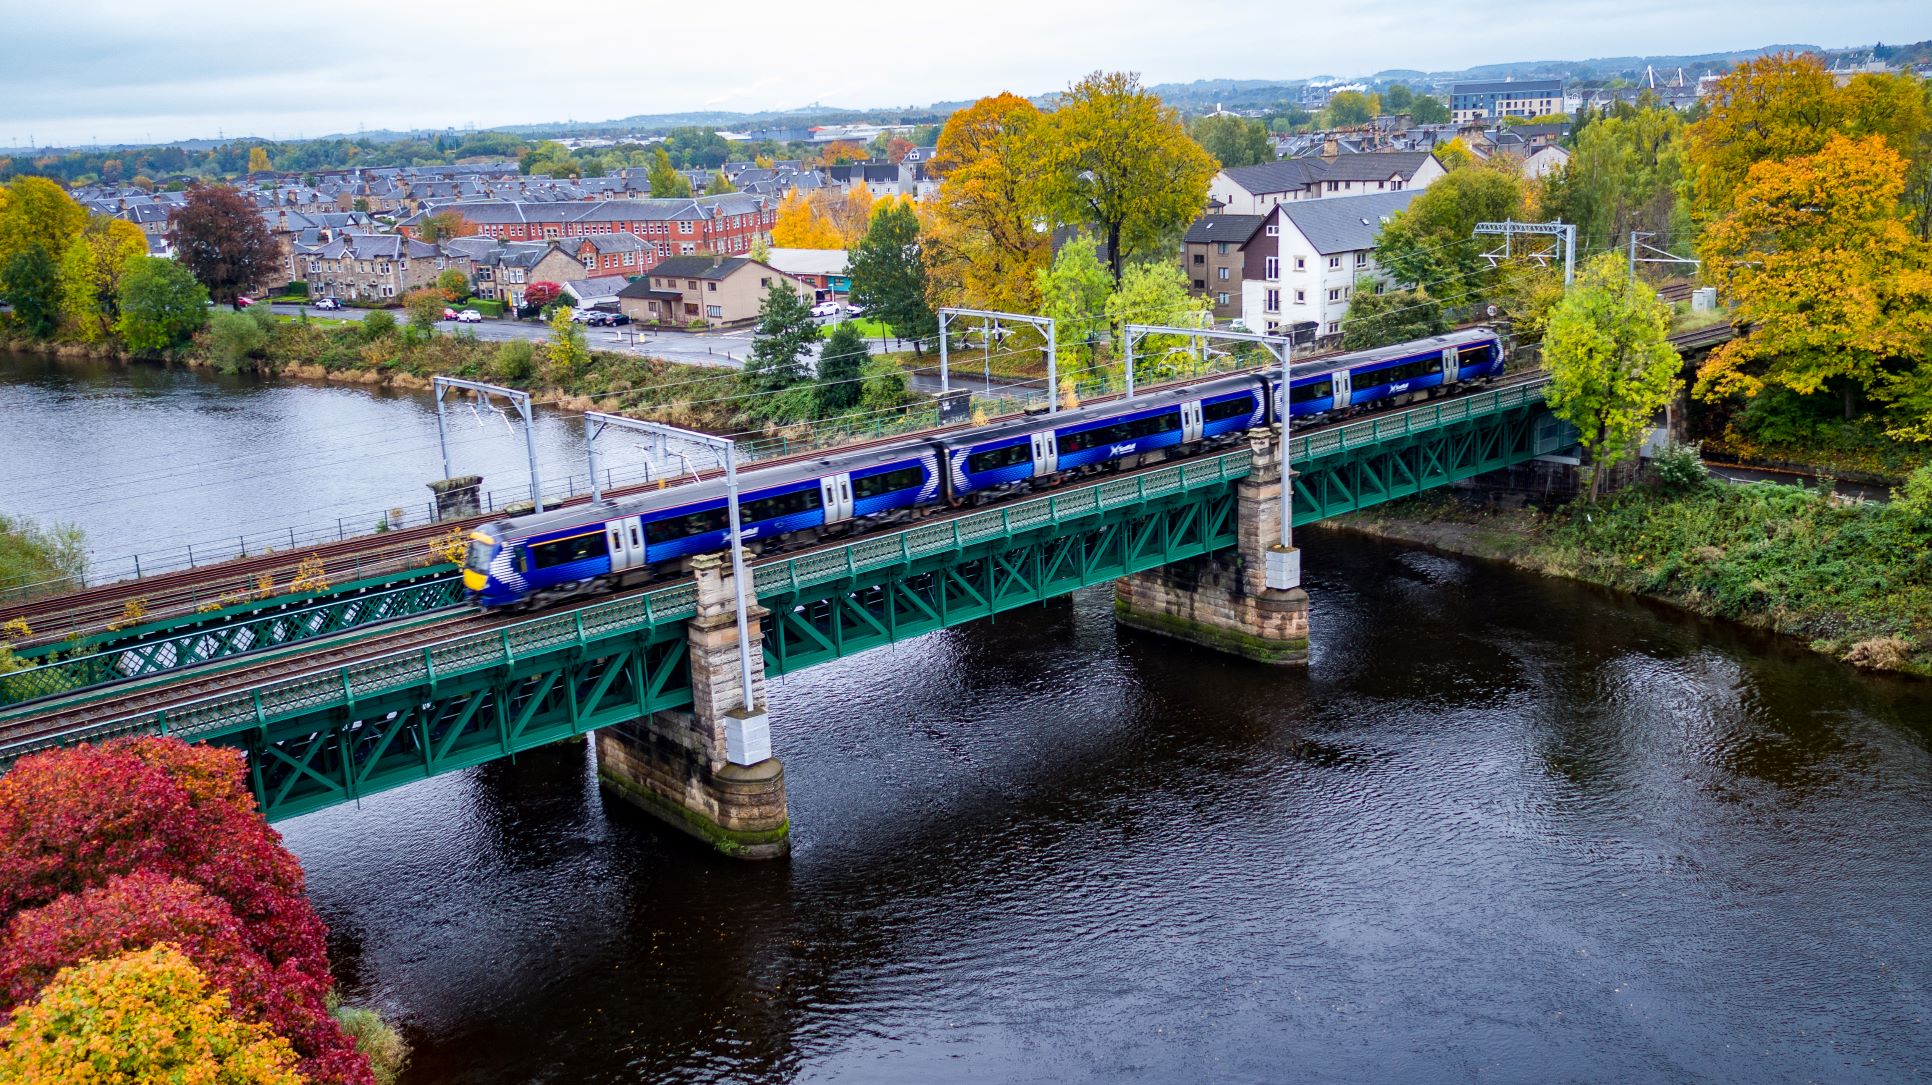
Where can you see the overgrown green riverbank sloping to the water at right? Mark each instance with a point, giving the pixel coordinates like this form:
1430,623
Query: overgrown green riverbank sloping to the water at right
1852,580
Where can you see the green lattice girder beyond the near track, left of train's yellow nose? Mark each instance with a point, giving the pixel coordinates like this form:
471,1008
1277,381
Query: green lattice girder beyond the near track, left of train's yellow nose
192,648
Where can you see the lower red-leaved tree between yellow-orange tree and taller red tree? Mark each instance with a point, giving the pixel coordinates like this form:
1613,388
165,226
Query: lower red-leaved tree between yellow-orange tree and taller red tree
138,912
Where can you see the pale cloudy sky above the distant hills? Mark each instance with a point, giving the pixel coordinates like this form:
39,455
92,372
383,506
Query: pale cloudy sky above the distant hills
132,72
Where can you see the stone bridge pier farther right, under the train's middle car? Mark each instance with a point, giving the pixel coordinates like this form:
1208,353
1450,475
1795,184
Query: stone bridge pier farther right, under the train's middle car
1247,599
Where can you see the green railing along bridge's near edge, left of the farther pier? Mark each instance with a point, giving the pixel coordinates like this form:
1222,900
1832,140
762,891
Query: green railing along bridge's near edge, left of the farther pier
627,617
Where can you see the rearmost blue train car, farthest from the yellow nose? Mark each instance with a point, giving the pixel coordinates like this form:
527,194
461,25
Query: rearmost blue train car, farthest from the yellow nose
1388,376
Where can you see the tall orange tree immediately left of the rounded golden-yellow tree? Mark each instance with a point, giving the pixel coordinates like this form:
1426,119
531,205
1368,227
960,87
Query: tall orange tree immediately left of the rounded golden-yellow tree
988,238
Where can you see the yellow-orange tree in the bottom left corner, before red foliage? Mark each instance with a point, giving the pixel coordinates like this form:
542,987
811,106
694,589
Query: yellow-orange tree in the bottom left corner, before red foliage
134,1020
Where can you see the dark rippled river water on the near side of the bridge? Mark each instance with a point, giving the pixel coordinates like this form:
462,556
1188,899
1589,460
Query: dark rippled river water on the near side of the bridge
1502,829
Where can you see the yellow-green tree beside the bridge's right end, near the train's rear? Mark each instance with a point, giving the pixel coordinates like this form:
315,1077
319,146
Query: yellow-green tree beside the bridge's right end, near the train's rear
1610,362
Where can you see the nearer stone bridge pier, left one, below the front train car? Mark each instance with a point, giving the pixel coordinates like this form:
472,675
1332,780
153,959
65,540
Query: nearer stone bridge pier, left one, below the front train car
708,771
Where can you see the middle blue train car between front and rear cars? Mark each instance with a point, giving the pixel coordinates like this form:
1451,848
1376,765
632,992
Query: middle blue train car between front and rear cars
1122,433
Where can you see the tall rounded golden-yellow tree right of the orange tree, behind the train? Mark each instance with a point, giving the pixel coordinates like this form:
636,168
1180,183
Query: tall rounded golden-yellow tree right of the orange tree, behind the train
1123,163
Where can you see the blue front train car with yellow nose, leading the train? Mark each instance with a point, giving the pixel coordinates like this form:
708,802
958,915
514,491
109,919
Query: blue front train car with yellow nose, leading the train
640,538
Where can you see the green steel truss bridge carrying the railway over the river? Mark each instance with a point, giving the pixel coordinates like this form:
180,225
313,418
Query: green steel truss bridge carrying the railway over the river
329,711
